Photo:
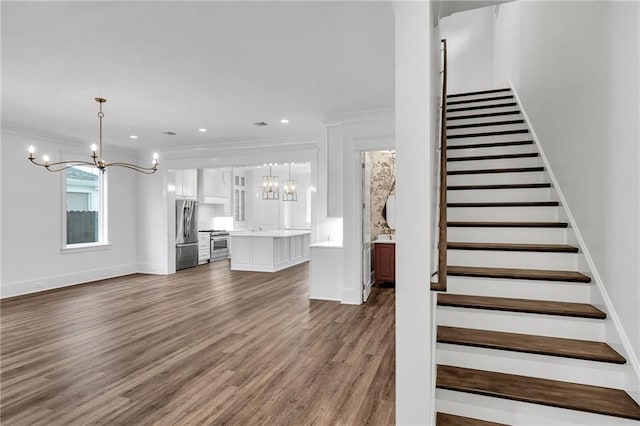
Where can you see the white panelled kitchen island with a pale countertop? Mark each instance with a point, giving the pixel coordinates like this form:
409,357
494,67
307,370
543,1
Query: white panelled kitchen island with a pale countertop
269,251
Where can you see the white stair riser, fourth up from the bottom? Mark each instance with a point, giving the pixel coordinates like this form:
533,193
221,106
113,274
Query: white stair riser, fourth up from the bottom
520,289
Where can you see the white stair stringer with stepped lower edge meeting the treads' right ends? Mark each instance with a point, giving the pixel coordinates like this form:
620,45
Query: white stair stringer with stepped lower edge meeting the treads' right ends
614,332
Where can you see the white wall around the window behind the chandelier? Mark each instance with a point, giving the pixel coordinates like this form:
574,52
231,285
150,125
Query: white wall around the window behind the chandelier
32,221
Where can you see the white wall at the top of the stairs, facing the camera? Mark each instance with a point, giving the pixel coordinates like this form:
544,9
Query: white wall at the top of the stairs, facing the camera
470,46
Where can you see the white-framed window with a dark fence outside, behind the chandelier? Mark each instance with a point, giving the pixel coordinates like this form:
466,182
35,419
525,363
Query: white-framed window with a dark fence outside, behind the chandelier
84,206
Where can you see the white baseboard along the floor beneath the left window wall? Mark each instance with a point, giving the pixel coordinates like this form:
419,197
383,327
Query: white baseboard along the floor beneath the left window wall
65,280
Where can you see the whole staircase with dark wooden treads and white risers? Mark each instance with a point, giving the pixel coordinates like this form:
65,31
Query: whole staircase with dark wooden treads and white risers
518,340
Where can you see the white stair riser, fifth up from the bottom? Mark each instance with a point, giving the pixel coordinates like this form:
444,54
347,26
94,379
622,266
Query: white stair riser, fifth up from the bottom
513,259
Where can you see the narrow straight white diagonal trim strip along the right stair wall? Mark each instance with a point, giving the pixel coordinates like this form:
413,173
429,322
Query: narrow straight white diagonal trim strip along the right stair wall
631,355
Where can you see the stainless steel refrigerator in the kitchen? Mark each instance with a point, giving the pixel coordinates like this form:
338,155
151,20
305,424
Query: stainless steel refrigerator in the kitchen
186,234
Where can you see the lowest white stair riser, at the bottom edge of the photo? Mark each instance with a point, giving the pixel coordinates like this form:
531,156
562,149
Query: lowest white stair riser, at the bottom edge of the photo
519,413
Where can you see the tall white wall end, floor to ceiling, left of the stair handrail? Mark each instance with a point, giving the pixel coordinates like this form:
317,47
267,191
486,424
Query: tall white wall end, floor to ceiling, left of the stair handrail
414,148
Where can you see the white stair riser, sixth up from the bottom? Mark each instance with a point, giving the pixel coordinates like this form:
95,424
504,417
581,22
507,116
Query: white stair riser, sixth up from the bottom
508,235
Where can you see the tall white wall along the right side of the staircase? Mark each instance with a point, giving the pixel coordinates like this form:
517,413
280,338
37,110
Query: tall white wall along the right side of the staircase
576,68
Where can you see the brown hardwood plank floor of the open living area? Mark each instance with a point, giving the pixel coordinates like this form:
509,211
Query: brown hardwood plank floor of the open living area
204,346
